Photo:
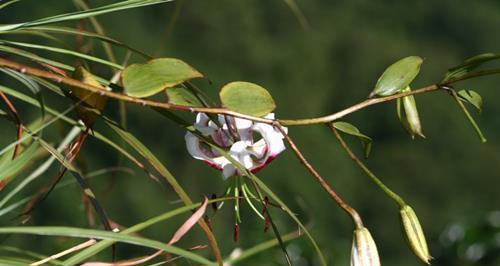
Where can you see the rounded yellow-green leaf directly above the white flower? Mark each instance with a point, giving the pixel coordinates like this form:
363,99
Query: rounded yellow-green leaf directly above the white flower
247,98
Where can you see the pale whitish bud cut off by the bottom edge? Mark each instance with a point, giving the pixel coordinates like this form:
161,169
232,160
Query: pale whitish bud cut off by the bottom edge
364,251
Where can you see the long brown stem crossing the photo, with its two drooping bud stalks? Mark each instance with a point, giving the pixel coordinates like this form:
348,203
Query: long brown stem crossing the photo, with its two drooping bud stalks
328,119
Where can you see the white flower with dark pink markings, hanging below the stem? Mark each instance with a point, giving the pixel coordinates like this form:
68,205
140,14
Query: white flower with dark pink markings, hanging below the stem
236,136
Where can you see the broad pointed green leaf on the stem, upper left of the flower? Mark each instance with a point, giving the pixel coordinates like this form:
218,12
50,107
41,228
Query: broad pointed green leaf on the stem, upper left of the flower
143,80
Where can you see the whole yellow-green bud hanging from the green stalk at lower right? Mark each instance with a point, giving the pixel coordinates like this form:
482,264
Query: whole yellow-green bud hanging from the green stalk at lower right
414,234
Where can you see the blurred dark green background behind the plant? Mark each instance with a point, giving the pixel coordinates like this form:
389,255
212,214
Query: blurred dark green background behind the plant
450,179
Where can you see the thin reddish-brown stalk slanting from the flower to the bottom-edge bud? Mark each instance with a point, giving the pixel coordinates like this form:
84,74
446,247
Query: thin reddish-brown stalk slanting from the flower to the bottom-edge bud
342,204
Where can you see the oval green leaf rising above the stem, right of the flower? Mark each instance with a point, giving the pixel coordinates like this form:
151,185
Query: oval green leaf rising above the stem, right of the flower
397,76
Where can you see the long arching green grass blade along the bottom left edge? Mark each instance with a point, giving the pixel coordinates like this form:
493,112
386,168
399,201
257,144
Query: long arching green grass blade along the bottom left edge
99,234
